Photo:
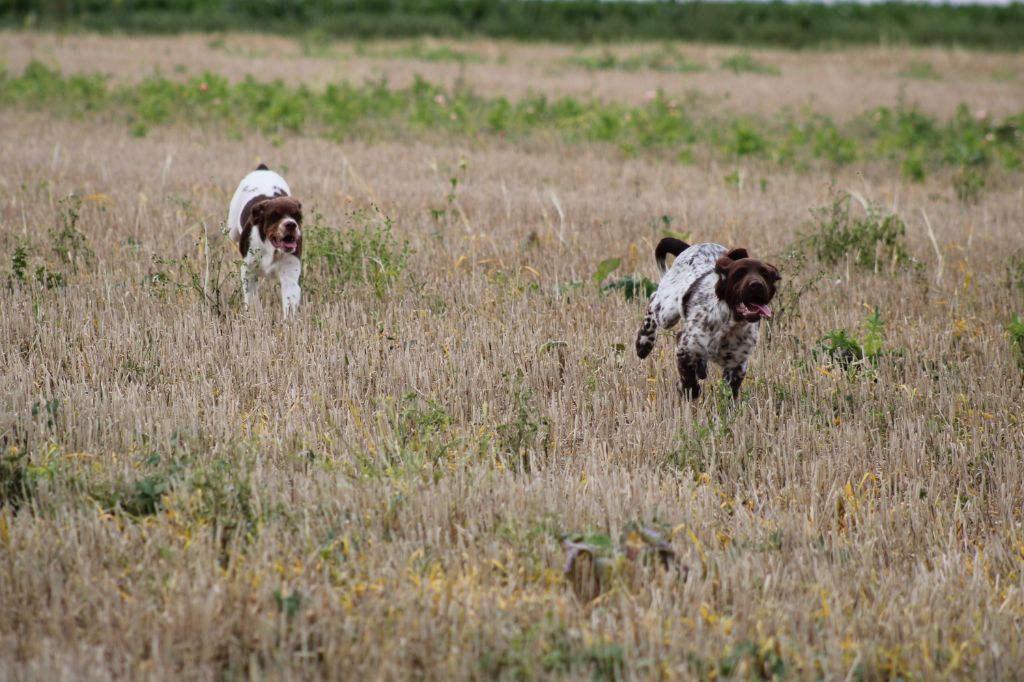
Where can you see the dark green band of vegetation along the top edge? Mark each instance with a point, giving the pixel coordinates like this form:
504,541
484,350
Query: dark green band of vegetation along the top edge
776,24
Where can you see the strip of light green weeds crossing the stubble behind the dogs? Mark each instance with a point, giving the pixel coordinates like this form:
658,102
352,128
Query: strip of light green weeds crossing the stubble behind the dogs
666,126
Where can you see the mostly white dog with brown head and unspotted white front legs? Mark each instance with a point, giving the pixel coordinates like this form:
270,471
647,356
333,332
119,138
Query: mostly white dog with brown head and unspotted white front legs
267,223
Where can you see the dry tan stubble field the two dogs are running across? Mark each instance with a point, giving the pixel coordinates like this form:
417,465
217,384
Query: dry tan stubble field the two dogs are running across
381,488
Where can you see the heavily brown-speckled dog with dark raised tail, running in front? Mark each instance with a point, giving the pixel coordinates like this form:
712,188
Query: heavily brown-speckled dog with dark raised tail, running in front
721,297
